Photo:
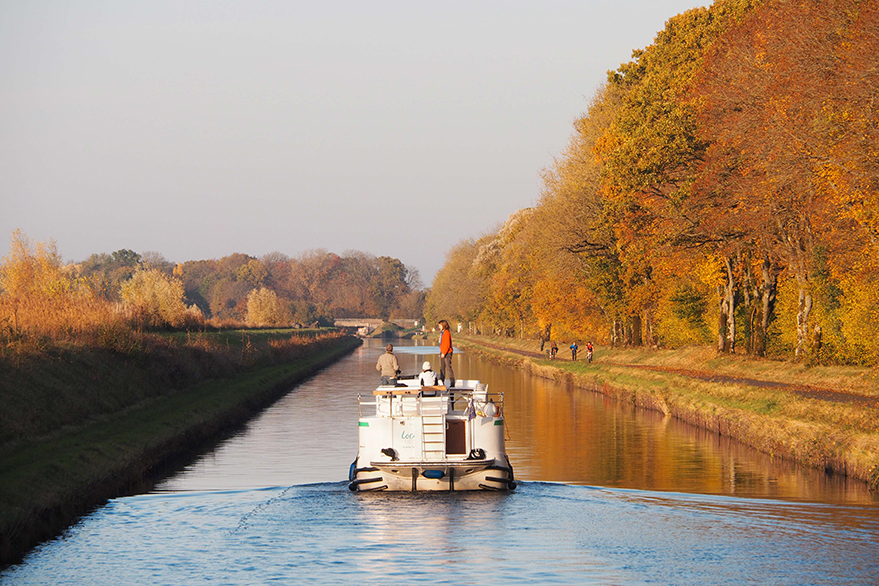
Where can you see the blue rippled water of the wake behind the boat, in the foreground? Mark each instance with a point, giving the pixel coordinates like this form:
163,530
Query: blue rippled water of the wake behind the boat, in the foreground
544,533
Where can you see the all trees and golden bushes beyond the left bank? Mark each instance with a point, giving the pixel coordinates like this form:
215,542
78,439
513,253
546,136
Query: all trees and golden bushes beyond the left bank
39,294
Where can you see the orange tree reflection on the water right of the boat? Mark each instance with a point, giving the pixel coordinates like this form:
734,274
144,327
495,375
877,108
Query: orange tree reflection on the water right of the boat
564,434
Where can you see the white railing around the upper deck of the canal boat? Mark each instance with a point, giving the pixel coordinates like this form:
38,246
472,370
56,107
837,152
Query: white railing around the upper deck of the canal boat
402,402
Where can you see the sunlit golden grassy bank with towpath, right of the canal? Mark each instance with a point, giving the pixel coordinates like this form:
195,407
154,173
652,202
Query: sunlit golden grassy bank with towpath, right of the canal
823,417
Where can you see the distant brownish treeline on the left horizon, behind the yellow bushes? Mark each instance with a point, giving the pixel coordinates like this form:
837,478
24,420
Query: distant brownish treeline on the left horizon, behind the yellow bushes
314,286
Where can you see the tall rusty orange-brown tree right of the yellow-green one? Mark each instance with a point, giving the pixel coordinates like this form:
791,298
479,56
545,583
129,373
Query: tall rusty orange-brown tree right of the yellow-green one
772,123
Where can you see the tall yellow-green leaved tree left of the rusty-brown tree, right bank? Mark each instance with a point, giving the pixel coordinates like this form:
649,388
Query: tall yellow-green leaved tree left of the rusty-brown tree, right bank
651,154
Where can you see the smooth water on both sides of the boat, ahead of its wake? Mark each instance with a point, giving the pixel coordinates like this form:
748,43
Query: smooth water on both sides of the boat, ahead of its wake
555,433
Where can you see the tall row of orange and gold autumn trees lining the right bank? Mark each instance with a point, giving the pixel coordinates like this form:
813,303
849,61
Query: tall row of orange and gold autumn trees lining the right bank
722,188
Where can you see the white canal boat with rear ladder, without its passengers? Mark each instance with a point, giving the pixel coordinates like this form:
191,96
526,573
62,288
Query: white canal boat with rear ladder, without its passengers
434,438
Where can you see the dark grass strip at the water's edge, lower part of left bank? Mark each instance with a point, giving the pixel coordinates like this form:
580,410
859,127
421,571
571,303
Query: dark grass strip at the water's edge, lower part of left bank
48,483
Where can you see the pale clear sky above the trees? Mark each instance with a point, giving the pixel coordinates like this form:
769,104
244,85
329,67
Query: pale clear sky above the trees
199,129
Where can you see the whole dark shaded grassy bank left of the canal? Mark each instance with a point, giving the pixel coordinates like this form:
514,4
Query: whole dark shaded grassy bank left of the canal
94,426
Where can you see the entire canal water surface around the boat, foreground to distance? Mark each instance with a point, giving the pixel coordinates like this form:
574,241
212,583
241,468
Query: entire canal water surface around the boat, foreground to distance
608,494
